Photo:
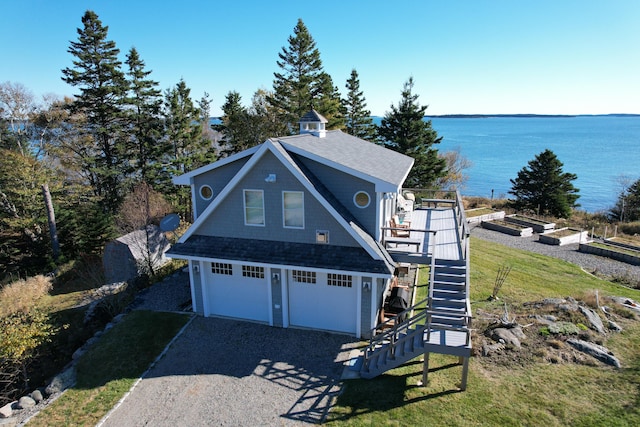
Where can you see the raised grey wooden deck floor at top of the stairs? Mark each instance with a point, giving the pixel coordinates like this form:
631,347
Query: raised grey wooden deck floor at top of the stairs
443,220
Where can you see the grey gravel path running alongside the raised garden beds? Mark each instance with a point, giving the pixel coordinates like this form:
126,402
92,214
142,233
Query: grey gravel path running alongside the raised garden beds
592,263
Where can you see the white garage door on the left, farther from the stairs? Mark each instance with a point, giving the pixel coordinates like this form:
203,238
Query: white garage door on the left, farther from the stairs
237,291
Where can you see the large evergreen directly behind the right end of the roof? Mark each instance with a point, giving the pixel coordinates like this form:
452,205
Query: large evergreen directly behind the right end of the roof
405,130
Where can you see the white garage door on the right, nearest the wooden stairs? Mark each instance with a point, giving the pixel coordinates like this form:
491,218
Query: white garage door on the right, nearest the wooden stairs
322,301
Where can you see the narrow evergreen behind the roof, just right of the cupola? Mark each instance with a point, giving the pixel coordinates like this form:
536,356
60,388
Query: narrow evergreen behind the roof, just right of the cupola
358,118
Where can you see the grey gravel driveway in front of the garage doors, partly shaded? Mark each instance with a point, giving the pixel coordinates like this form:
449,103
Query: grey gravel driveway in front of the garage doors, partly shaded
223,372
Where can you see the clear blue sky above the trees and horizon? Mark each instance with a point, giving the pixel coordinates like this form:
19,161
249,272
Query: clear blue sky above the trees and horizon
466,56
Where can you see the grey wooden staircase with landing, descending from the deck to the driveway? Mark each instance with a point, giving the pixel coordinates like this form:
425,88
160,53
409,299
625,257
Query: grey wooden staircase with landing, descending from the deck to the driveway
440,324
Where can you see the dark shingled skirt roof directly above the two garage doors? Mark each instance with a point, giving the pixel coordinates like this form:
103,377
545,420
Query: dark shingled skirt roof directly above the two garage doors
307,255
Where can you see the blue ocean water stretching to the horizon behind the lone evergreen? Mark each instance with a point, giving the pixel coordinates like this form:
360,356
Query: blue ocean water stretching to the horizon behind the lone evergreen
598,149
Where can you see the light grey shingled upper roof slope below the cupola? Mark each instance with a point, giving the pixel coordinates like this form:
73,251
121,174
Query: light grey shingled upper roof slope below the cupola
353,154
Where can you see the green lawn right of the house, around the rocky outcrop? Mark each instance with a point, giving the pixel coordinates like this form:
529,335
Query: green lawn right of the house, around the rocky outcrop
535,394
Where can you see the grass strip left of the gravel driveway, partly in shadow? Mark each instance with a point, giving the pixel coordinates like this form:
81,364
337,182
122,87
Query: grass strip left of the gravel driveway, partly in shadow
109,369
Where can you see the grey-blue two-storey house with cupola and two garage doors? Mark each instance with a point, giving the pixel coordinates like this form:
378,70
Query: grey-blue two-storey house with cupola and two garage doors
290,232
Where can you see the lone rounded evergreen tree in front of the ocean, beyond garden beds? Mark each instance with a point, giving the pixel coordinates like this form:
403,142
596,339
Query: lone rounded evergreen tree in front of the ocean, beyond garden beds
543,187
